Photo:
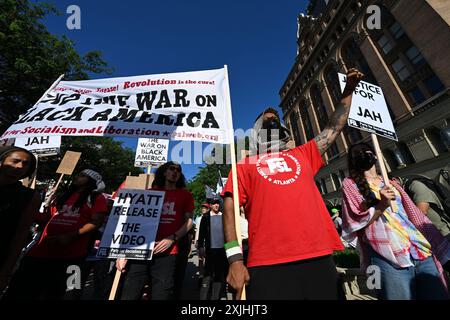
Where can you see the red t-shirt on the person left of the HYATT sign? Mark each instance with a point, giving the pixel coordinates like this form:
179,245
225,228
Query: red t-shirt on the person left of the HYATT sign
68,220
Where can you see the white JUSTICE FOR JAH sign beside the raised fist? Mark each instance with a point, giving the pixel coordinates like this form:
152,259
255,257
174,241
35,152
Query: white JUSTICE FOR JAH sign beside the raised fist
369,111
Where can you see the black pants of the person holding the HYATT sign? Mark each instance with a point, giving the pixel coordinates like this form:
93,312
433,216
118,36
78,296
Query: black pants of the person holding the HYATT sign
160,271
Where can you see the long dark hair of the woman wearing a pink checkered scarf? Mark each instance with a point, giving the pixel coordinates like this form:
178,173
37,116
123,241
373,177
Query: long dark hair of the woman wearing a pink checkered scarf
357,174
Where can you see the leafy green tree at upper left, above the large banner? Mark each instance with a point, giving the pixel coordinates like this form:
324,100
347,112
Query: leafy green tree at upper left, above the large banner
31,58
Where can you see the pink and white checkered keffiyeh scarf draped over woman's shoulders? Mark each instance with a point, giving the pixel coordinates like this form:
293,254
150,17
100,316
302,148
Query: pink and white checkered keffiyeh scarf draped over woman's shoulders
355,218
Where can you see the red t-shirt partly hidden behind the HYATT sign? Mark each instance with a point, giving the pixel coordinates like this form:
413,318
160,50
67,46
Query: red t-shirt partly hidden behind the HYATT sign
176,204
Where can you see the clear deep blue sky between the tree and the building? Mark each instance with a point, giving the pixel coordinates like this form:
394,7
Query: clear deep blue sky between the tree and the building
256,39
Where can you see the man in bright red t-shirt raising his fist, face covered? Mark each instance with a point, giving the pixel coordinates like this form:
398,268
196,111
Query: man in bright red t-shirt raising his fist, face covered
291,236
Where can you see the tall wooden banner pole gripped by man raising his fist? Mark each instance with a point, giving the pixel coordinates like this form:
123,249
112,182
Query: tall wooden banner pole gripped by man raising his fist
237,216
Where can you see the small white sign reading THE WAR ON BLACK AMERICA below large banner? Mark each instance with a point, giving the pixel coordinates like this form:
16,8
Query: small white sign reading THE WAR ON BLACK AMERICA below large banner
151,151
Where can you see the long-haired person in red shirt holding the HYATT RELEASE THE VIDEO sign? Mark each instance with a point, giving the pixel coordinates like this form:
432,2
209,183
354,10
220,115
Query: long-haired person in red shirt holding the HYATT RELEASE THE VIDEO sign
175,223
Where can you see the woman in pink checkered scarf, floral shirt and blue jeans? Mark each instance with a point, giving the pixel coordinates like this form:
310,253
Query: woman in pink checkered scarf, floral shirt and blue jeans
393,233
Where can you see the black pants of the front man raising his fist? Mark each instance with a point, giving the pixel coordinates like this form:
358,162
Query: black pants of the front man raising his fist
312,279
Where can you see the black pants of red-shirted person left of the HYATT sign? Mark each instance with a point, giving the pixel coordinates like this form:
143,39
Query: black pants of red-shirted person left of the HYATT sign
39,278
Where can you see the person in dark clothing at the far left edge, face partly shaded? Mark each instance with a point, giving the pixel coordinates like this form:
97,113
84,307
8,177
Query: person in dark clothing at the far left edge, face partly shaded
19,206
